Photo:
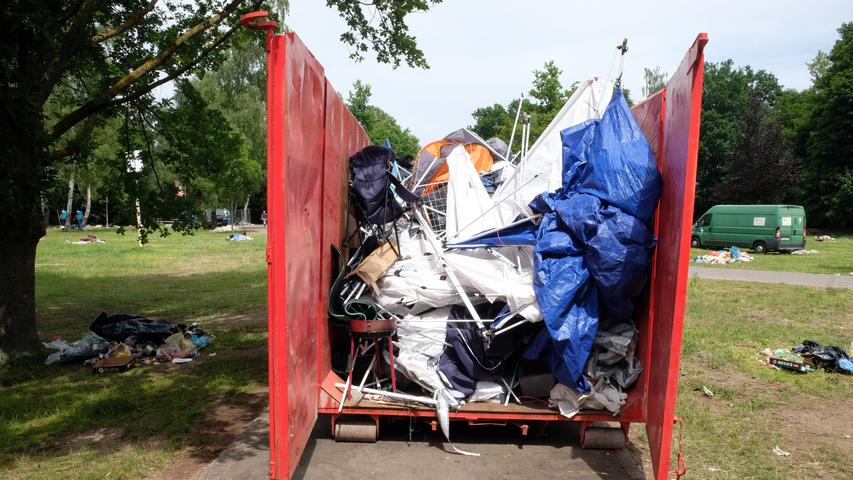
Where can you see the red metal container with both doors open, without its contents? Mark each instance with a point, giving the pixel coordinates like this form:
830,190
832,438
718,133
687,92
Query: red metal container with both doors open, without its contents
311,136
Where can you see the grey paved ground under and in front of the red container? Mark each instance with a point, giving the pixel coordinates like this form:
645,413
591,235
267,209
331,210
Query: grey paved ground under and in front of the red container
504,454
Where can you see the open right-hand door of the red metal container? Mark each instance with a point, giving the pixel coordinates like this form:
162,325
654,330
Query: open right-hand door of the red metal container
672,255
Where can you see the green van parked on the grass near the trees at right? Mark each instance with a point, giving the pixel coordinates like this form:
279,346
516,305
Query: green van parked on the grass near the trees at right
762,228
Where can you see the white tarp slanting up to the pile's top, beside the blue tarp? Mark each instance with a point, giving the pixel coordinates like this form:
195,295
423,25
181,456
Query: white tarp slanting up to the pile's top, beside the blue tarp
541,170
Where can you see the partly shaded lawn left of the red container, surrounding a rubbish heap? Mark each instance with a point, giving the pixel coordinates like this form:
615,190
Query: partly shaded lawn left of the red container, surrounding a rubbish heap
47,413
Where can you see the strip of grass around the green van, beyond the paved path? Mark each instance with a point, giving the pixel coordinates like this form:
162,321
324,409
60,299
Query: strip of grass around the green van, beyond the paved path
832,258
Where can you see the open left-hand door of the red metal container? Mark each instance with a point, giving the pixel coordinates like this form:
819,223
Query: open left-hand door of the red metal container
295,119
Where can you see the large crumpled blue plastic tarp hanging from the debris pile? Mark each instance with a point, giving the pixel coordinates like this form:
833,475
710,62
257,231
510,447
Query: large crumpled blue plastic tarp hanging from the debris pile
593,244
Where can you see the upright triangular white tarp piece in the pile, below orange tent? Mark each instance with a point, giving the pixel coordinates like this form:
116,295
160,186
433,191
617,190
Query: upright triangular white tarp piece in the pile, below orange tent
469,207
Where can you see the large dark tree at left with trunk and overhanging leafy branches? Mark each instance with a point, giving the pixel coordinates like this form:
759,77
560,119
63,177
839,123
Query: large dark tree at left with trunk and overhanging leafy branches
71,69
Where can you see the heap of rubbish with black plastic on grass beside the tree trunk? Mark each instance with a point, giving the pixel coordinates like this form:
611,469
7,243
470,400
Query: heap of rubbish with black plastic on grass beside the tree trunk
119,342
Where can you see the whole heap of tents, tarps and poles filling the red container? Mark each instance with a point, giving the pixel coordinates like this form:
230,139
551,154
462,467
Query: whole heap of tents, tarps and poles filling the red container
500,276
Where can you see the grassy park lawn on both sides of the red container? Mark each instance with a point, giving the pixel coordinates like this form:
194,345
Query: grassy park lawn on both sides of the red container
167,421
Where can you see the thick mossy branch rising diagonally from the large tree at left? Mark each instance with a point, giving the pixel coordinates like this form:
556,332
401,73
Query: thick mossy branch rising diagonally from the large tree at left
103,100
